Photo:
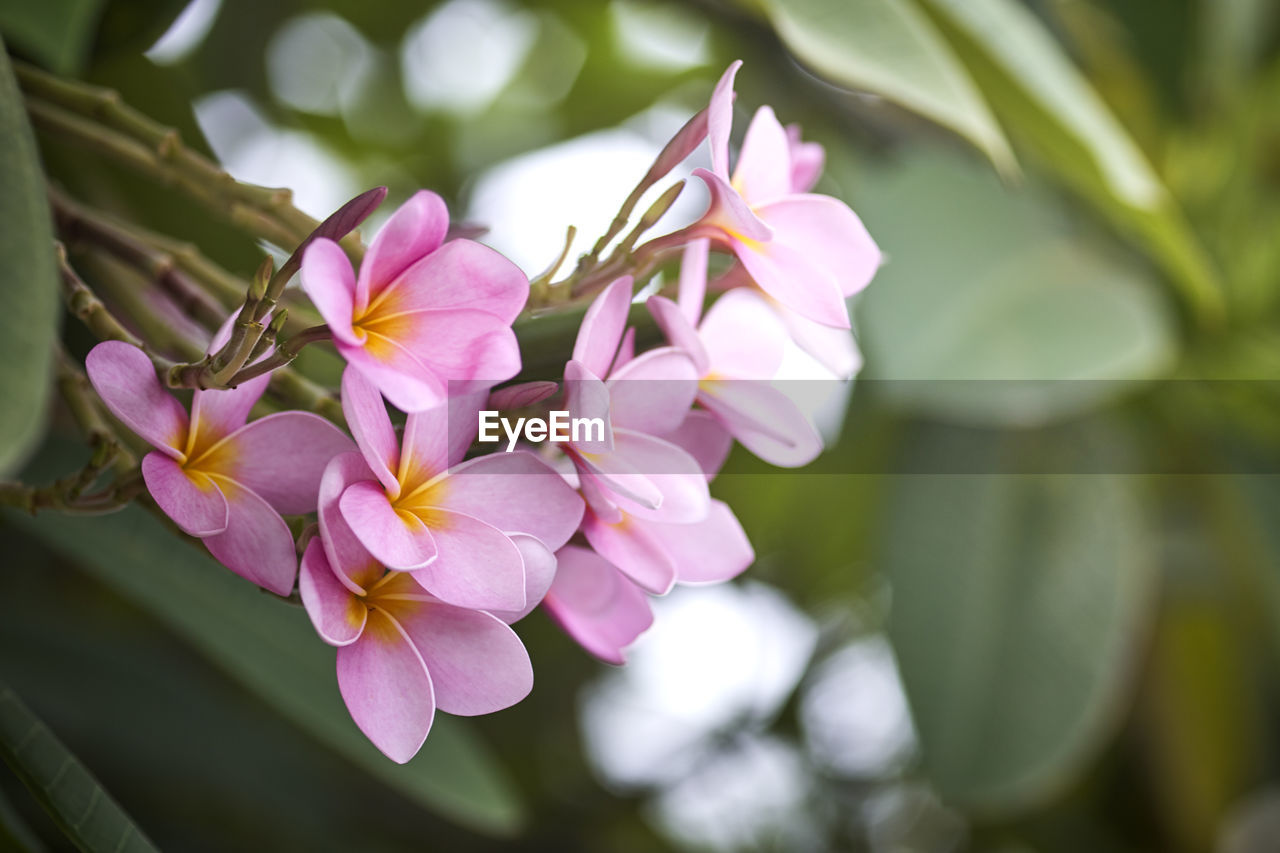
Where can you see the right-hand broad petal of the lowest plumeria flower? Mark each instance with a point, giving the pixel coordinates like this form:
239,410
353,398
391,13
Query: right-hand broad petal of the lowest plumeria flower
478,664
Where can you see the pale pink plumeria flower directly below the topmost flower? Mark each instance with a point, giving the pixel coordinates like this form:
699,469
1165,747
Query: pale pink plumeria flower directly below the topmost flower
737,350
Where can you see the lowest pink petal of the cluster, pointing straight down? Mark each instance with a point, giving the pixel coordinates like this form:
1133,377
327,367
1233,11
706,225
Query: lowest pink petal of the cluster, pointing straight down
387,688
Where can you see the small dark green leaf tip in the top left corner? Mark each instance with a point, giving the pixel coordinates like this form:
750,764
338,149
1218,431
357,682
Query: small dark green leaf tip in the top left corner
56,33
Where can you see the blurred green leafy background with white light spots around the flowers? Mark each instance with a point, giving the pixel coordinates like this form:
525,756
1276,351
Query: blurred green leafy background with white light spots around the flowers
1027,601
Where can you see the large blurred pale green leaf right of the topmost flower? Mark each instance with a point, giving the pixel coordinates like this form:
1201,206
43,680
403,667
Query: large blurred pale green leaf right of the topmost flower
985,284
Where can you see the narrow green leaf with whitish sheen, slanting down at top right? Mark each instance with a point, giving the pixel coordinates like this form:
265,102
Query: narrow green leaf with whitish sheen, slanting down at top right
1044,99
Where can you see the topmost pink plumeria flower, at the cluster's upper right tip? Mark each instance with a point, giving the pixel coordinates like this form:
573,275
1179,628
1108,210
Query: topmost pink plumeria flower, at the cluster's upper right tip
807,252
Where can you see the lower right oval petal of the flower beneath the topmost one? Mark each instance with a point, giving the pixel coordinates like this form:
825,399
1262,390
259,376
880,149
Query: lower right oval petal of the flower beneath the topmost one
764,419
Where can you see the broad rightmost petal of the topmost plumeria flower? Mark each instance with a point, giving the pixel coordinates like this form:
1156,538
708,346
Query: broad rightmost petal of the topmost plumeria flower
829,235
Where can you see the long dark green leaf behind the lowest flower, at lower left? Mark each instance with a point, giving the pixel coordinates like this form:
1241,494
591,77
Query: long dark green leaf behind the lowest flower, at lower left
275,653
